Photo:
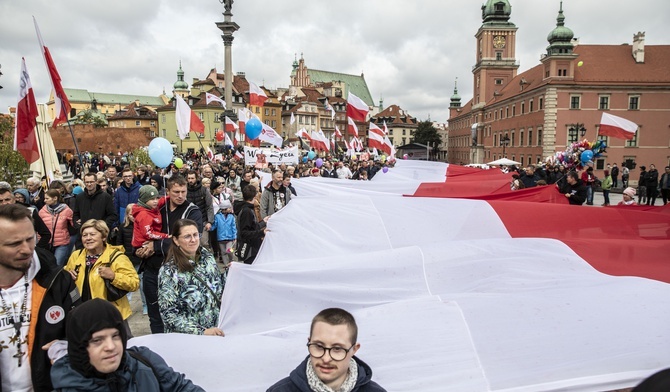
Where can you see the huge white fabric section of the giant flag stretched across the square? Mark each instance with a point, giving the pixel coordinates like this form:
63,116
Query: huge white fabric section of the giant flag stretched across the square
444,299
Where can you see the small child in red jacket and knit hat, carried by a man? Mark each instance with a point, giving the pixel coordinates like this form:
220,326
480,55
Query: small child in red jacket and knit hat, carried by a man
148,220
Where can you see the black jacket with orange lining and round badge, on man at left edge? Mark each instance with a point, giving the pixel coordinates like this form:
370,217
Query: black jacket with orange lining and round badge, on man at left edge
59,294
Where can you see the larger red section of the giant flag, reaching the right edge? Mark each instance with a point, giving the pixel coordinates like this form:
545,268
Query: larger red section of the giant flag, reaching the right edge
615,241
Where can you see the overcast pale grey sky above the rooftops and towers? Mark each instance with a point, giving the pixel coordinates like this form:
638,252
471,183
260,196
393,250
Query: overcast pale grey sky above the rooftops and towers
410,51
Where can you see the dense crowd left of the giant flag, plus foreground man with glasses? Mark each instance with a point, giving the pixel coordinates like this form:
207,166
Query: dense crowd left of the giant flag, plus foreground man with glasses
75,252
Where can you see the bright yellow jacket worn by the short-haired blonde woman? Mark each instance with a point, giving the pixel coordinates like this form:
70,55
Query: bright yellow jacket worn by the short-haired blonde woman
125,278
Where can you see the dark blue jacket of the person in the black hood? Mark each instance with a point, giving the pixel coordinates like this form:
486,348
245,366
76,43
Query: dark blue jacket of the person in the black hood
132,376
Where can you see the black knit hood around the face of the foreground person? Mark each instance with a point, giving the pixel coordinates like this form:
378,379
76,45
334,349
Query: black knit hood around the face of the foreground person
85,320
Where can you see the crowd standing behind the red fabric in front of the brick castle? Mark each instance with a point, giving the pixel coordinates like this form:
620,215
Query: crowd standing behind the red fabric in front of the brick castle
579,188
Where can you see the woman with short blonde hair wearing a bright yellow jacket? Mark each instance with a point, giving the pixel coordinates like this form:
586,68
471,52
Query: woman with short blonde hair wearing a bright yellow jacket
99,261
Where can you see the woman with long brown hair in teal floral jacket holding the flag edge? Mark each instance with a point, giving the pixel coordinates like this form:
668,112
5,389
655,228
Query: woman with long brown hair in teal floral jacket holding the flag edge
189,284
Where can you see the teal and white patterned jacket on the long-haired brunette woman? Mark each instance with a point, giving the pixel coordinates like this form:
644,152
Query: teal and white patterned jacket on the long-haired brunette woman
186,304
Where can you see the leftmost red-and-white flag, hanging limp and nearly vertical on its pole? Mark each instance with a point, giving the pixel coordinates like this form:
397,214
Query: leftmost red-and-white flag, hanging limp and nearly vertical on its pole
25,137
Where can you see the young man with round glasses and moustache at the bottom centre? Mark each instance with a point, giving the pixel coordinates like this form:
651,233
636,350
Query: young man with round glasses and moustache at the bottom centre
331,364
